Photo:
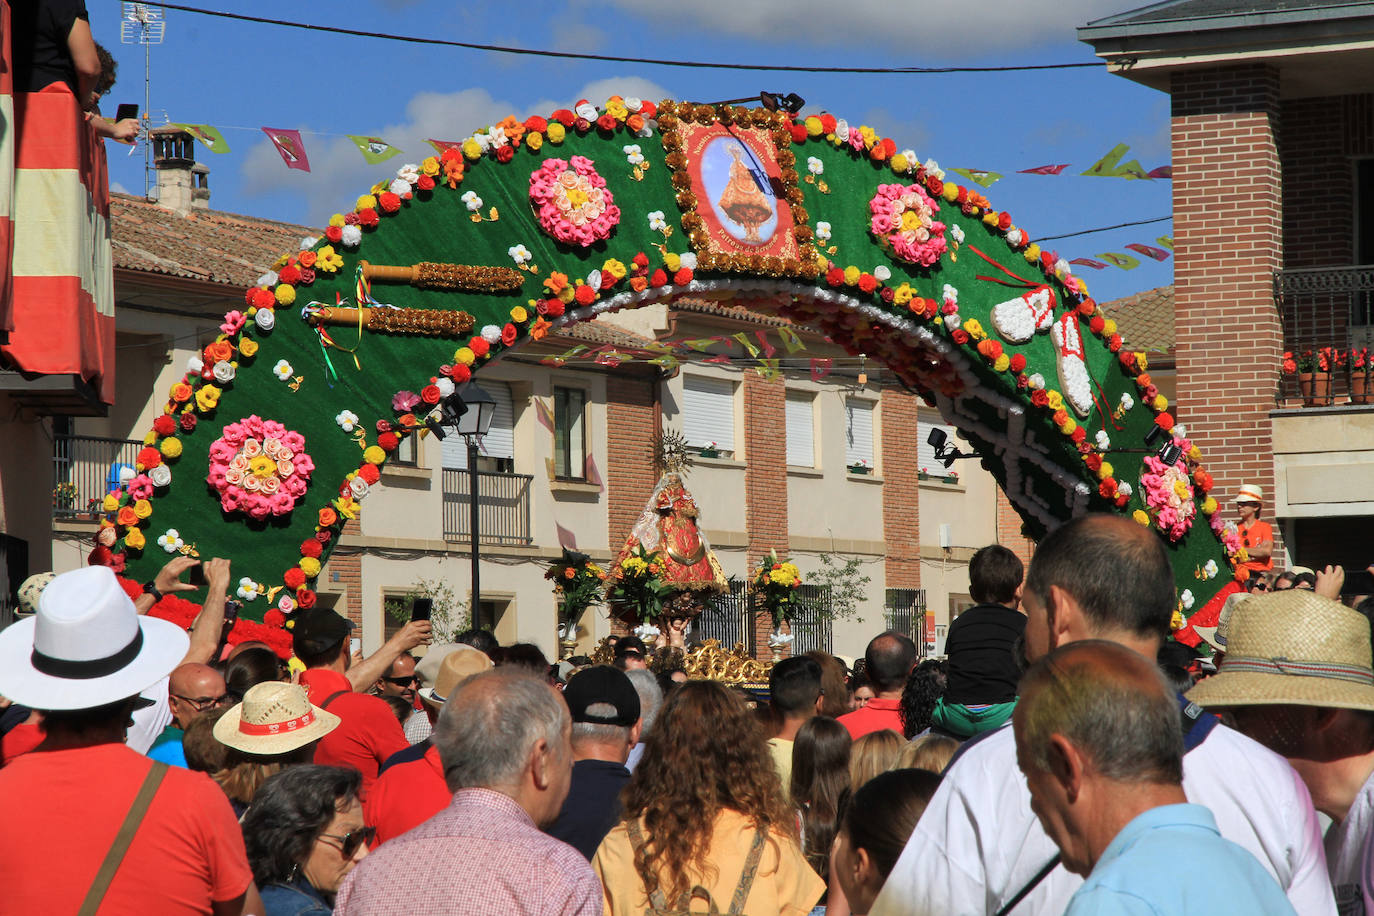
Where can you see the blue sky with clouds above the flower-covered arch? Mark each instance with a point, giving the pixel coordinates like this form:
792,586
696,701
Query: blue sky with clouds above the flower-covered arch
244,76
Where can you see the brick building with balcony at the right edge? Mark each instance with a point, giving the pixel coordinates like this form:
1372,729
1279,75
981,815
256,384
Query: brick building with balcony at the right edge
1273,137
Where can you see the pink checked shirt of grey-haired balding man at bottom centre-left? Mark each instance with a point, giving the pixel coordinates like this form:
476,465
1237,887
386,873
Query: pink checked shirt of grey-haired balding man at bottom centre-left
482,855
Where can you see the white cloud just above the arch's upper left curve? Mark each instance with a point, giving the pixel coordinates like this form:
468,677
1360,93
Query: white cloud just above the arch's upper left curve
339,175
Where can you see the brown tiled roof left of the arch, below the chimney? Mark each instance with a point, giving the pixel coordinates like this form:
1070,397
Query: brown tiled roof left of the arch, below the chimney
204,245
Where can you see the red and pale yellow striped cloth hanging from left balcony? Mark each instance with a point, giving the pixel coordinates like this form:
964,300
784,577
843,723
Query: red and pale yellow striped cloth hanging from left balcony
57,282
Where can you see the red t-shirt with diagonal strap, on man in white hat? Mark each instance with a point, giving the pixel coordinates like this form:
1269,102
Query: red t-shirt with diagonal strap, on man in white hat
61,811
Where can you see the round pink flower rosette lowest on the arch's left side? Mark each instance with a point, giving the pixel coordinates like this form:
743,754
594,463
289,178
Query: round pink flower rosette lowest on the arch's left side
259,468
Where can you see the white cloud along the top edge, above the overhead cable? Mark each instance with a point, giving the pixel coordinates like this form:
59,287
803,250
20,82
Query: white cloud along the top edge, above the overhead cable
941,28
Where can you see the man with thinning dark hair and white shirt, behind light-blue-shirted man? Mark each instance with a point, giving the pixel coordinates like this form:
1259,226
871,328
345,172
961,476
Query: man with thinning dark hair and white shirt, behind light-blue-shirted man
980,849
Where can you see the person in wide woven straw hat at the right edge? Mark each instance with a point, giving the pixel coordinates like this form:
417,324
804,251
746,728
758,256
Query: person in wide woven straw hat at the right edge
1298,679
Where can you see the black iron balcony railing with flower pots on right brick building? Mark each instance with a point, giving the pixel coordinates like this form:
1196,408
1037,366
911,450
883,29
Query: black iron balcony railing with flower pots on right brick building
1325,308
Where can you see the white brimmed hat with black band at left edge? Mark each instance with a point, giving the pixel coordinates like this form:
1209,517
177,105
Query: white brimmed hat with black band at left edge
87,646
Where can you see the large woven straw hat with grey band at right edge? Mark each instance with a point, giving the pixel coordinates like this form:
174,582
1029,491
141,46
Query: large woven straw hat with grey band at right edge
1292,649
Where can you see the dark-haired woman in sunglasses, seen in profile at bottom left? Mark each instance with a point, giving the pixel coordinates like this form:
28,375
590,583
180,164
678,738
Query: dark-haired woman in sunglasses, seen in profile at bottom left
306,833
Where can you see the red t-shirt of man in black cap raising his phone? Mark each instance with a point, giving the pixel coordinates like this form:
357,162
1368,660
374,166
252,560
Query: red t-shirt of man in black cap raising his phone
368,733
